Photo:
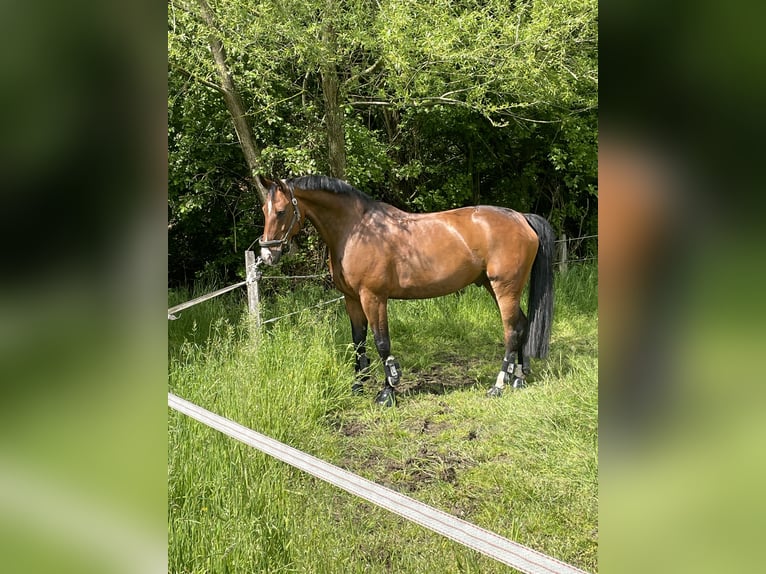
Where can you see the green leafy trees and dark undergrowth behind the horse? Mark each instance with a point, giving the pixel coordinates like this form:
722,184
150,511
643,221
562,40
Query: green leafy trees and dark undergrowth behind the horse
444,104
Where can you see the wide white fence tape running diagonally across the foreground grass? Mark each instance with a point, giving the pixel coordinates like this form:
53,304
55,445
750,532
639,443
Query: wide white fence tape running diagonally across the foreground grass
501,549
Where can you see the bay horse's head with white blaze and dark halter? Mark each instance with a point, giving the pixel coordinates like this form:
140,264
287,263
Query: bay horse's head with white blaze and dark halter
282,220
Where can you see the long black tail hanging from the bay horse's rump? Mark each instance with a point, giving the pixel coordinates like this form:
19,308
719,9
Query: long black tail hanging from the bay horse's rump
540,307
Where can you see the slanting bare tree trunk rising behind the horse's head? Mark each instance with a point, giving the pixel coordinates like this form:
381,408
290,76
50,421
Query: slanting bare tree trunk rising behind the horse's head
234,102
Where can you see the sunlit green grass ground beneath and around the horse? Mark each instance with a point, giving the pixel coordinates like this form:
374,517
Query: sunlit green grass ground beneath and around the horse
524,466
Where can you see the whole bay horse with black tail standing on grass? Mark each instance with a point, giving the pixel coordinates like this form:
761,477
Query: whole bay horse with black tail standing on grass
378,252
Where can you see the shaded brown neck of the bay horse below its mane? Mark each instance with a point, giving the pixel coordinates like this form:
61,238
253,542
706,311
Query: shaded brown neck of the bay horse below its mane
333,215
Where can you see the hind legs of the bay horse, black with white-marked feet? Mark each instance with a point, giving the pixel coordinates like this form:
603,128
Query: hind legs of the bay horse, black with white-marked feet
515,327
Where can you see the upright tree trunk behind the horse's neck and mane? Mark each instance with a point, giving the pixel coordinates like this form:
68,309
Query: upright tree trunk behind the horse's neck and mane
336,139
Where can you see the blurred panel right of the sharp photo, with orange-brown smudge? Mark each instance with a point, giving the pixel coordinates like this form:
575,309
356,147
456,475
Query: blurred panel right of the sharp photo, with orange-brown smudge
681,273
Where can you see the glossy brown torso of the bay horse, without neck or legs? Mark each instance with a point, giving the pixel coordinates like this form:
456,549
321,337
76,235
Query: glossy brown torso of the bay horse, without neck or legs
403,255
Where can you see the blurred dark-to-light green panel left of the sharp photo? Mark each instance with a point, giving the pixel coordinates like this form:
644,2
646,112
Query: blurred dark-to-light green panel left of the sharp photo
82,288
